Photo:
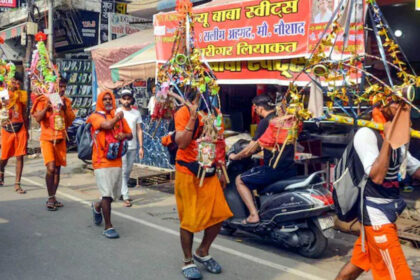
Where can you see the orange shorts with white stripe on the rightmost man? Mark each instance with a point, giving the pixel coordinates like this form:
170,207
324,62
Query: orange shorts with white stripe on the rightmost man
383,254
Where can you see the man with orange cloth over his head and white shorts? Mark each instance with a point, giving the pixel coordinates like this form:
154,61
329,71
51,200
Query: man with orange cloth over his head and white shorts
110,135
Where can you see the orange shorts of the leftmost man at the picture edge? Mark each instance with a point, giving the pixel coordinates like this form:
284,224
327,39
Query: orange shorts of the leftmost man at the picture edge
13,145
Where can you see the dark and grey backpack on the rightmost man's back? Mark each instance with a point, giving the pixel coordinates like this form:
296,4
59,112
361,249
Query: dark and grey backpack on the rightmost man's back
349,183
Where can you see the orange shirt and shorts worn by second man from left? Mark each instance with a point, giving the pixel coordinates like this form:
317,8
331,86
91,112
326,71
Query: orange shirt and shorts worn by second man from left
53,142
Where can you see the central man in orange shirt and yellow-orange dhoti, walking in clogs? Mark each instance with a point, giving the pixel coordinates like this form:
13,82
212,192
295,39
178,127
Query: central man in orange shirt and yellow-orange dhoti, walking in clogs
199,207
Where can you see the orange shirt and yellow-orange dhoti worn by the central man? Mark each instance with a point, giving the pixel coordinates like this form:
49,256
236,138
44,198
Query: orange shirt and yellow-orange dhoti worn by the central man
198,207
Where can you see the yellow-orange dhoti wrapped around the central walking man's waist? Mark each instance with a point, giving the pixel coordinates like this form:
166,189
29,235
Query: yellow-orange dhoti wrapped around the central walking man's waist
200,207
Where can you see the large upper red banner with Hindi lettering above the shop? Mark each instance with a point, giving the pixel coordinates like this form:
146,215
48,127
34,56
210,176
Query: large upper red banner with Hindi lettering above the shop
258,29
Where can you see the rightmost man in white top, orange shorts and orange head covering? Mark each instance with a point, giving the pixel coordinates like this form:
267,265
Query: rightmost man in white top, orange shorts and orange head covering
380,250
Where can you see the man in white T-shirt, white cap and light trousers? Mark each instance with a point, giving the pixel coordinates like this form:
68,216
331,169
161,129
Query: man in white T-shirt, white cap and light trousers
134,120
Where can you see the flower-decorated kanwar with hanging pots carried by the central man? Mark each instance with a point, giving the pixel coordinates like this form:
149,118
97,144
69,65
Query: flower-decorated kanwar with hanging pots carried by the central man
185,73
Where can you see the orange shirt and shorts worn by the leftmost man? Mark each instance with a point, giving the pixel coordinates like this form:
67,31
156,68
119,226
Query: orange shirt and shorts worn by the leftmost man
15,144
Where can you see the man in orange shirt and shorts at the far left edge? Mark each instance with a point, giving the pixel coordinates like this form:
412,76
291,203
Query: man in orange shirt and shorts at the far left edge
14,131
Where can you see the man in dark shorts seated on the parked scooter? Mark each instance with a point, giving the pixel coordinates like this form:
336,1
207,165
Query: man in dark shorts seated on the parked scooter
261,176
